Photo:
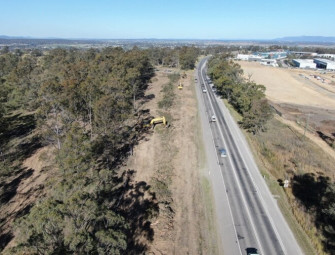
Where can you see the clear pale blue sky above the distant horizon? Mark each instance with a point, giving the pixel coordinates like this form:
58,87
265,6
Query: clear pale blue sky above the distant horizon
211,19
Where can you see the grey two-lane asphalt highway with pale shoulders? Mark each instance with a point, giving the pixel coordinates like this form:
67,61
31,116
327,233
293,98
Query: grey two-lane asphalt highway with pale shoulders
247,214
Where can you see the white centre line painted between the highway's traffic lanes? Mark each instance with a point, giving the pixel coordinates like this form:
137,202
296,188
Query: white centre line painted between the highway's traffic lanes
235,175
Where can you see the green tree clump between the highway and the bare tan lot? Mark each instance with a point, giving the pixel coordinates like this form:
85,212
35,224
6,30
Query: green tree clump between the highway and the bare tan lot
245,96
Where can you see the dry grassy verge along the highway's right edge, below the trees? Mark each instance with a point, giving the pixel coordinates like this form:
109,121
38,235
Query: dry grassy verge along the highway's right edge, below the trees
280,153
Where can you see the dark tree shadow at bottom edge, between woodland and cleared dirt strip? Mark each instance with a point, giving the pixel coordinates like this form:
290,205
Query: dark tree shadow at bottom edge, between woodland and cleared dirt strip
138,205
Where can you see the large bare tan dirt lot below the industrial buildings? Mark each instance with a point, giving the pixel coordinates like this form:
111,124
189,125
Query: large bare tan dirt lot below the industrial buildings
304,98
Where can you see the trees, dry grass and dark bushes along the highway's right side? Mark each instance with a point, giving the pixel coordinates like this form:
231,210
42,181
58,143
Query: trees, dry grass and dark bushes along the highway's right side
283,154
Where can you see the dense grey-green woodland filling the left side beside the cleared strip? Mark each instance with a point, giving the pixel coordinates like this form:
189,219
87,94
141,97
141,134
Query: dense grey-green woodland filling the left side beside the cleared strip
84,106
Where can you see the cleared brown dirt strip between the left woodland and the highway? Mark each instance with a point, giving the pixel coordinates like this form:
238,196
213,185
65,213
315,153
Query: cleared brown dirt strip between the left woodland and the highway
170,156
